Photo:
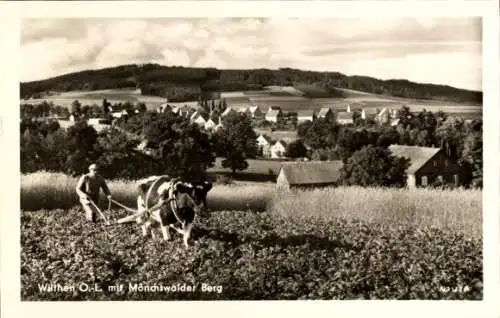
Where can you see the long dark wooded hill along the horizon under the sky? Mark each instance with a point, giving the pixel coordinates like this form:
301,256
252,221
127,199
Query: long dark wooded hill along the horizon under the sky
187,83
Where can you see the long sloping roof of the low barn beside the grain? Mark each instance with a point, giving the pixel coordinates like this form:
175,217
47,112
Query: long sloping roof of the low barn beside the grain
312,172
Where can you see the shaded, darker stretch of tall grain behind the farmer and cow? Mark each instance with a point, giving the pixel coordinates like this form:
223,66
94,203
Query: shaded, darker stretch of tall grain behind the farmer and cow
42,190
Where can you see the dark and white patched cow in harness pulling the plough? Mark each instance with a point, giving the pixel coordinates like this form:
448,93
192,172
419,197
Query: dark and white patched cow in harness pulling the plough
175,202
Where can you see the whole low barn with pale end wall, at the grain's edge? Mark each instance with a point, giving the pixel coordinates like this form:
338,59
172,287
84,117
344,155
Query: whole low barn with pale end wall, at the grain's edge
311,174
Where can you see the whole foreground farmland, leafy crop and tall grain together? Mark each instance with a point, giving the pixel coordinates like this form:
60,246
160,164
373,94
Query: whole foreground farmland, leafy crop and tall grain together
344,243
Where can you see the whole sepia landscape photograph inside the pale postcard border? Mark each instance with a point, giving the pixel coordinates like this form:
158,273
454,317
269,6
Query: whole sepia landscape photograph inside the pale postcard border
213,158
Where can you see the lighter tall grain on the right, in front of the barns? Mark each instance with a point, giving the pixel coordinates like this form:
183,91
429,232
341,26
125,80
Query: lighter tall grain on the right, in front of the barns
459,210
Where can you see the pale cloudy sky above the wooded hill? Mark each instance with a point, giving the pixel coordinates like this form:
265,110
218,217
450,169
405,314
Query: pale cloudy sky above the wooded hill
445,50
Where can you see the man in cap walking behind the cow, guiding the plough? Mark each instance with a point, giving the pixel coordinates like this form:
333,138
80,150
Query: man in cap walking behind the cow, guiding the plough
88,189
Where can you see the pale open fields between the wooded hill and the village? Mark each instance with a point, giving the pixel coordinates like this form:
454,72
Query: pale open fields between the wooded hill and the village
288,98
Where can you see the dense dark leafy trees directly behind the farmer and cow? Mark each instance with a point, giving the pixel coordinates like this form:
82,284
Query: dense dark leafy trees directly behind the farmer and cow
179,147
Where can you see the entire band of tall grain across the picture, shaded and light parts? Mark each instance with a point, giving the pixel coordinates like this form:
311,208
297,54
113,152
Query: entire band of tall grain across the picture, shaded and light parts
458,210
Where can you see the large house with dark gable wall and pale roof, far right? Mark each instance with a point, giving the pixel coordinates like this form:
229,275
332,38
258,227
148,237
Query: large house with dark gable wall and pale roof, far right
428,166
